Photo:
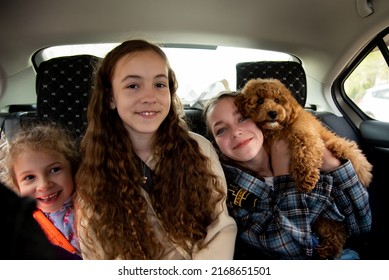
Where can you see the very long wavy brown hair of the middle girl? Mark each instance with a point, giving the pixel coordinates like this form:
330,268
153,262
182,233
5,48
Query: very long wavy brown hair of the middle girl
109,182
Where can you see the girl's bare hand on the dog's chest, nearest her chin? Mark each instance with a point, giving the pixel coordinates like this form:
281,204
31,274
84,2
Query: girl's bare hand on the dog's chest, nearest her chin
280,157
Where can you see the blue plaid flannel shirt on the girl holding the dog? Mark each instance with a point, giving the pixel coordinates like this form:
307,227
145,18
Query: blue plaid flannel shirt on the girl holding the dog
277,220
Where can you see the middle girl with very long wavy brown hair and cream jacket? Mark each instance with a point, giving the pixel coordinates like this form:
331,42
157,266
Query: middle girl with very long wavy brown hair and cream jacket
147,187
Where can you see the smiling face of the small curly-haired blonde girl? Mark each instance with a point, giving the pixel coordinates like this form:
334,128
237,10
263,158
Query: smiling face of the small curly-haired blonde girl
46,176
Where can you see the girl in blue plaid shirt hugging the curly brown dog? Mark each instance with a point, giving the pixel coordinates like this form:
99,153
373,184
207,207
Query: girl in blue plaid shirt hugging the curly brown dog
274,219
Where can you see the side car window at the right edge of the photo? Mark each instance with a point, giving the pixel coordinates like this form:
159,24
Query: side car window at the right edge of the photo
368,85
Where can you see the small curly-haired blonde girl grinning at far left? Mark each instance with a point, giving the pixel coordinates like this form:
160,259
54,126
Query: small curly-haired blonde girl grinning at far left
41,162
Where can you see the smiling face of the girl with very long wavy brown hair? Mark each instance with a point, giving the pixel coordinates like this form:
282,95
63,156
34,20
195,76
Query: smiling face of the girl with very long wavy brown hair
141,91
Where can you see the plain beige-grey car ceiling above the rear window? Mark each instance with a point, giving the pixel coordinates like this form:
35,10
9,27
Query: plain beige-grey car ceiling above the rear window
321,33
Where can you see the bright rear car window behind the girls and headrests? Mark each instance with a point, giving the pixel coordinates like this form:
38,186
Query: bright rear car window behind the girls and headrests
202,71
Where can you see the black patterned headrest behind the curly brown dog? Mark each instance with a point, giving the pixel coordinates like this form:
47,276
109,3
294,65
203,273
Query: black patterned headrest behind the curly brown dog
290,73
